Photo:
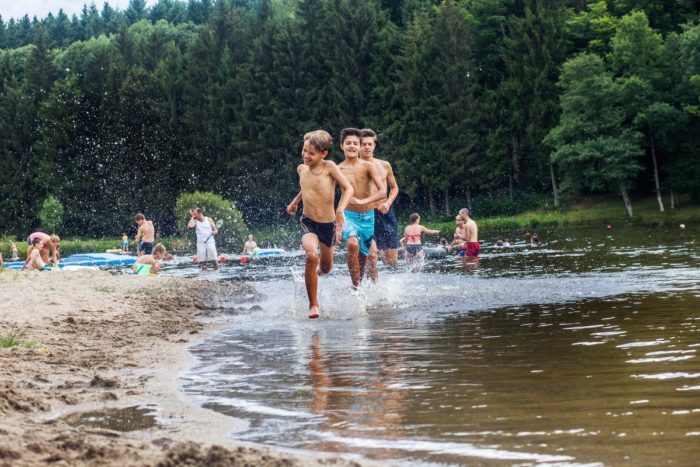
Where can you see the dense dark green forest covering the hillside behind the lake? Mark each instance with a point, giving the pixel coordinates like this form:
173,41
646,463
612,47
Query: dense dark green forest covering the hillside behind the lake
498,105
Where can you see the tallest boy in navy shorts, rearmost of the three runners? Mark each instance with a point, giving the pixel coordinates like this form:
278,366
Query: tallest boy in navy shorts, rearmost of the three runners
386,228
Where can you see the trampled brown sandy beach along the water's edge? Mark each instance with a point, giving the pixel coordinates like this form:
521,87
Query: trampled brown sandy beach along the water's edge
113,341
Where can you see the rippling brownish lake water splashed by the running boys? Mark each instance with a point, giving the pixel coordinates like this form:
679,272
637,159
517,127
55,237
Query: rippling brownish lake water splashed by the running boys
582,351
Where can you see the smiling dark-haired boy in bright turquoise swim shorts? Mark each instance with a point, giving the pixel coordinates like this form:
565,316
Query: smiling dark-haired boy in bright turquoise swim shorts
359,216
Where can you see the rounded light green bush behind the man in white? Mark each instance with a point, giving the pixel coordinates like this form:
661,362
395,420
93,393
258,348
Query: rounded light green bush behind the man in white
233,230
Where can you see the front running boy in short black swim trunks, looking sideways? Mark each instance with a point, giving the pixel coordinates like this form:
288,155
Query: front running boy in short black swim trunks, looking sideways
320,225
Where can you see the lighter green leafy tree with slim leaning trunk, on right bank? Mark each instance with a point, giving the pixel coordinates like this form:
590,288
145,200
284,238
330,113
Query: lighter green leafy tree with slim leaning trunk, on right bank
596,144
